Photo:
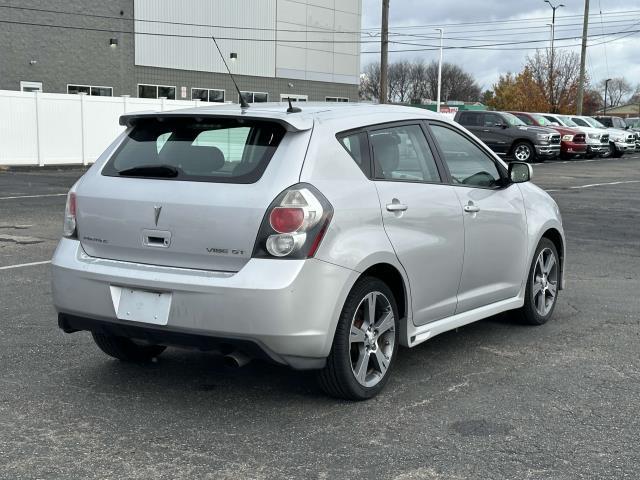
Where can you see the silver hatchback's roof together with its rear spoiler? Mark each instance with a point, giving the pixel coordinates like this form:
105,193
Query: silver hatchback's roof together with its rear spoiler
299,121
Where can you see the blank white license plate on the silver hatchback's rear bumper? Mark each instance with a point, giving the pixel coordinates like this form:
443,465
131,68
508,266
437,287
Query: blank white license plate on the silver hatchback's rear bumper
141,305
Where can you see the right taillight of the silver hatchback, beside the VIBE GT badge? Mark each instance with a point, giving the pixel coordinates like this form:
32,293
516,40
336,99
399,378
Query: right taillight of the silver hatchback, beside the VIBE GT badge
294,224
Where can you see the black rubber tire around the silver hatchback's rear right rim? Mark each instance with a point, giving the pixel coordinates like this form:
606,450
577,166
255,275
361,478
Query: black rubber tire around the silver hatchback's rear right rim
337,378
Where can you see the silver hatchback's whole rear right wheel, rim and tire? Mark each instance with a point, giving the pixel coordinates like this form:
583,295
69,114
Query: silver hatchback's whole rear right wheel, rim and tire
365,343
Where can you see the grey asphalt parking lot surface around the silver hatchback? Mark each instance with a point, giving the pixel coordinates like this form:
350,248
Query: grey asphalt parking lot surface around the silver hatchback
493,400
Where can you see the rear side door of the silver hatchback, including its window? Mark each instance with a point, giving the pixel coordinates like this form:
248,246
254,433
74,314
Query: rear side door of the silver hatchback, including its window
421,216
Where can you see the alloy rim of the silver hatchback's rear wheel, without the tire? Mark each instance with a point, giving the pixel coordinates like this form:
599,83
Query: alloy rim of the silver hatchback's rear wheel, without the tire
372,339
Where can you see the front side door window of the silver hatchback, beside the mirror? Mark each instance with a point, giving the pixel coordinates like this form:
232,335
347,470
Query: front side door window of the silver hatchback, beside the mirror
467,163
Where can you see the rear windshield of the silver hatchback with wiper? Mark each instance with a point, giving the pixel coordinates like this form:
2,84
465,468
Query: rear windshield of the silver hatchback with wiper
201,150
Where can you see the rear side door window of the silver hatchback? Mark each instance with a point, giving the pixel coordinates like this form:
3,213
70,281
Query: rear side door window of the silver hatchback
402,153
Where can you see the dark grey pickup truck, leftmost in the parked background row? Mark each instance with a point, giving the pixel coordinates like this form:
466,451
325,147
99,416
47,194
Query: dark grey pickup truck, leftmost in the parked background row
508,136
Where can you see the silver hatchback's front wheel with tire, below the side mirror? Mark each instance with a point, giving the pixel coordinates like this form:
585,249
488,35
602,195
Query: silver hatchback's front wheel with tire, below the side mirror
542,285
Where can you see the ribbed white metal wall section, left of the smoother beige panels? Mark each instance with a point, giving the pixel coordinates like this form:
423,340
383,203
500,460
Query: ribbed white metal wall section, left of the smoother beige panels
172,45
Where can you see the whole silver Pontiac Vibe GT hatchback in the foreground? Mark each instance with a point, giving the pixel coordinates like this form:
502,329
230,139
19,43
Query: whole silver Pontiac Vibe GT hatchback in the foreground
319,239
